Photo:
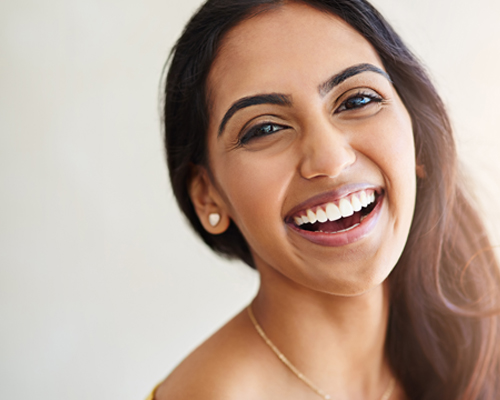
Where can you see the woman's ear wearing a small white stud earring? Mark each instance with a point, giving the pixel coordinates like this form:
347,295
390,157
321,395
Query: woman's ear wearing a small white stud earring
207,202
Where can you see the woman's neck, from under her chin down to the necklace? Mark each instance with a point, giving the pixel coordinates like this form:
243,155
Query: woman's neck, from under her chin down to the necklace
336,341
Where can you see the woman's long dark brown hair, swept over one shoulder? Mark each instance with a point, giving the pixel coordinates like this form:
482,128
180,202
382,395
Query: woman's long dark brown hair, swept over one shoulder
443,335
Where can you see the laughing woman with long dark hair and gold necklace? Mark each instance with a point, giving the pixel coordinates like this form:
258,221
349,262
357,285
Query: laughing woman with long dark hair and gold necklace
305,139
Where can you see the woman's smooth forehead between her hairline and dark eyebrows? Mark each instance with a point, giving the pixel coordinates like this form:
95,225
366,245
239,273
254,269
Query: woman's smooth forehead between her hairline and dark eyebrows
283,50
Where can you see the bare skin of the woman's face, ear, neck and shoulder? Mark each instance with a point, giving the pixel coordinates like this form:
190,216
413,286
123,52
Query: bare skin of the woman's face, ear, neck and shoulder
324,307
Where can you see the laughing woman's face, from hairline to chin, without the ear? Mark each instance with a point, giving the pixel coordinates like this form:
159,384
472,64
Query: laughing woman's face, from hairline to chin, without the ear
305,125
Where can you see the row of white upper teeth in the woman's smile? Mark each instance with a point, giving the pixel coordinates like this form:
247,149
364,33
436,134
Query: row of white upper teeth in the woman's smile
332,212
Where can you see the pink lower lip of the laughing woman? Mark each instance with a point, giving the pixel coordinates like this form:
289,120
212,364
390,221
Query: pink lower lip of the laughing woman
343,238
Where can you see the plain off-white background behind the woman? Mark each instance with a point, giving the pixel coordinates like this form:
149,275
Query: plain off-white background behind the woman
103,288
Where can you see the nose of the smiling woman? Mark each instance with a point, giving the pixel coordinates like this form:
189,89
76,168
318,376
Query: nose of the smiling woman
325,150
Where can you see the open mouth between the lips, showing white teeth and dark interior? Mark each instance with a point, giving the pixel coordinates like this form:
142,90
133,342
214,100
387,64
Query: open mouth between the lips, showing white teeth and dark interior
338,216
